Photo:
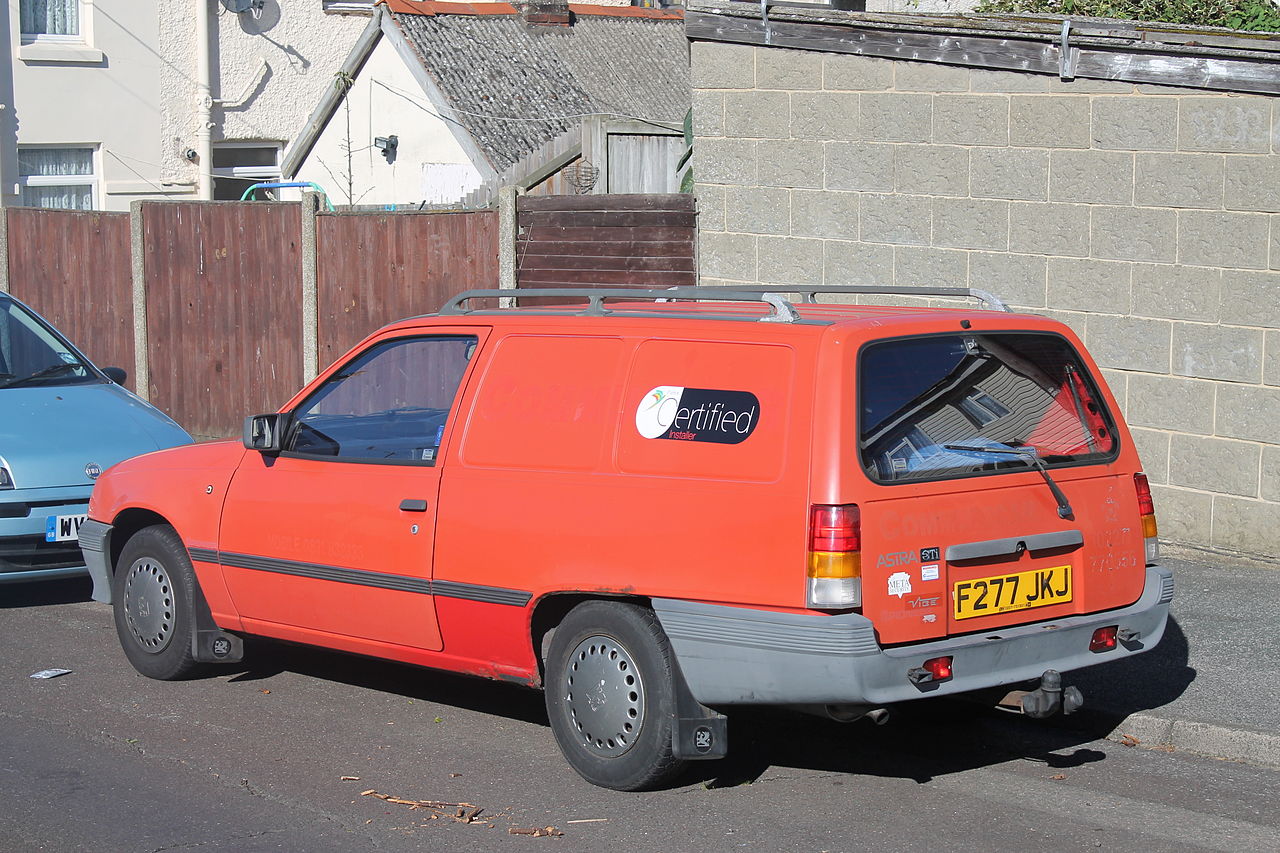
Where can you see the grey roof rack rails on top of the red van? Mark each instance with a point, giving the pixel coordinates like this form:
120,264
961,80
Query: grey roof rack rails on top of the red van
784,311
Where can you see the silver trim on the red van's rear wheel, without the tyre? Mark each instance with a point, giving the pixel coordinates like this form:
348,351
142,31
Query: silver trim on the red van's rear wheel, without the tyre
605,696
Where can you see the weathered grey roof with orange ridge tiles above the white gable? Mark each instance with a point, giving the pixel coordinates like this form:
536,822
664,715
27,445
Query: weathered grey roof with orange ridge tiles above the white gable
515,88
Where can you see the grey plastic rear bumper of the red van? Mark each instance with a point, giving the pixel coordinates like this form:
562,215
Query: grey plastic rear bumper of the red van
740,656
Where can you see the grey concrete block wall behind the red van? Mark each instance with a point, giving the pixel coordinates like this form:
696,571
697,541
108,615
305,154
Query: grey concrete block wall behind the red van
1148,218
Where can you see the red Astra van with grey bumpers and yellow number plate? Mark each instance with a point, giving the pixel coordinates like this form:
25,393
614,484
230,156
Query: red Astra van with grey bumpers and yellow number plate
660,505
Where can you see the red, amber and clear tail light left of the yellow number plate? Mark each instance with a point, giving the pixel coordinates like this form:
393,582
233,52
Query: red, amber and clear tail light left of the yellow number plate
835,577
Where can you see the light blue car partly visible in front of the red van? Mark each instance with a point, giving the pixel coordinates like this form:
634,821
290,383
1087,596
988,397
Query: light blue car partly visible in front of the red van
63,422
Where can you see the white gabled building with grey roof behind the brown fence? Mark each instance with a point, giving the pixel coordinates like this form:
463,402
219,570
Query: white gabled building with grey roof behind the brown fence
441,101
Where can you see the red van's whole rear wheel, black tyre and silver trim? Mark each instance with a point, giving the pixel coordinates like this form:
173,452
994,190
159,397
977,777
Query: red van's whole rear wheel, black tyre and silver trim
610,696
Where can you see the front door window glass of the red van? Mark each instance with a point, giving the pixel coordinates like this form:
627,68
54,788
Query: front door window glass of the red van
390,404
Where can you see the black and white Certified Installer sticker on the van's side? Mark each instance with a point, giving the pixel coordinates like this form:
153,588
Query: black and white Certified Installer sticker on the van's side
698,414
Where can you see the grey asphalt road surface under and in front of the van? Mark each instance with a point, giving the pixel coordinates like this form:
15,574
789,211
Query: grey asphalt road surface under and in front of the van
254,759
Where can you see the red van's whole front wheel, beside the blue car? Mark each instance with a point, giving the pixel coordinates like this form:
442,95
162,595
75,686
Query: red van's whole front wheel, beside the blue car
154,590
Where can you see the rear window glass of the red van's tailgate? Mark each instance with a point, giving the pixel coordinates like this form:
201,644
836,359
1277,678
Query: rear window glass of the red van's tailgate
957,405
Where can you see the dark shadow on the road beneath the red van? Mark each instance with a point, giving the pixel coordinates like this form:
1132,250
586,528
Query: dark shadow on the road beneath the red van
922,741
